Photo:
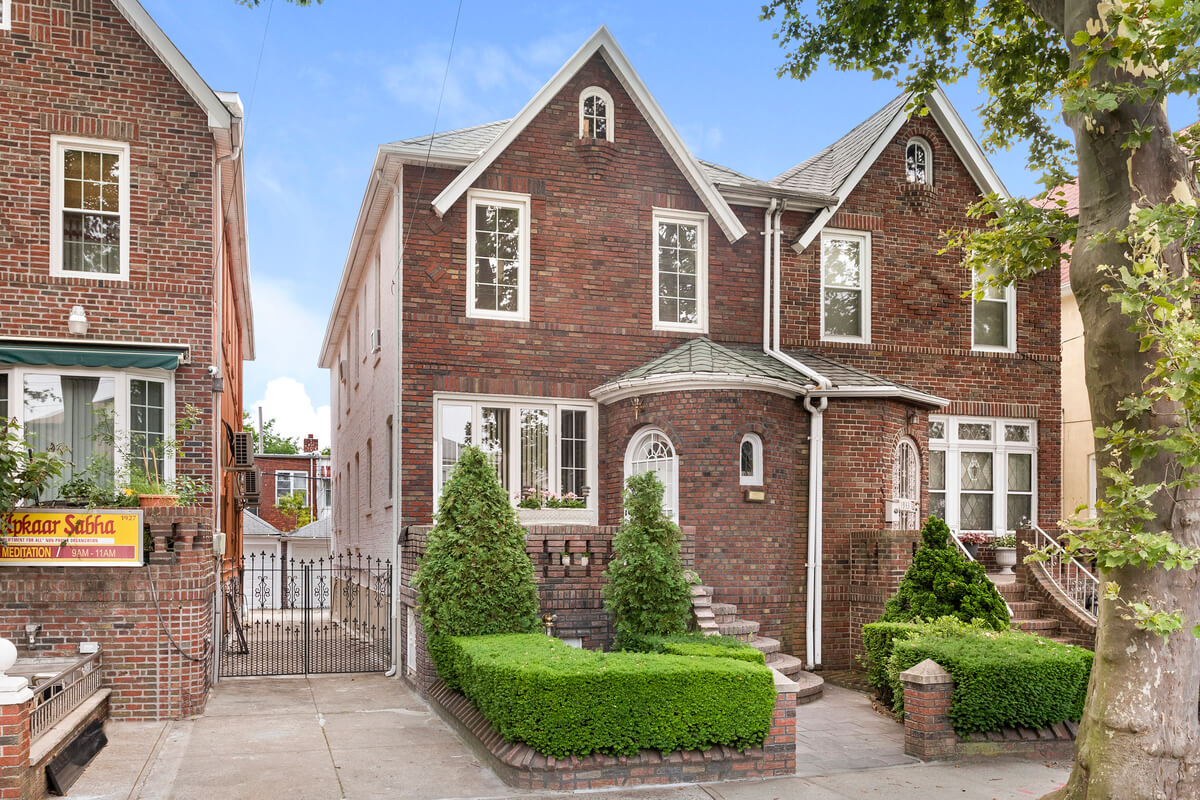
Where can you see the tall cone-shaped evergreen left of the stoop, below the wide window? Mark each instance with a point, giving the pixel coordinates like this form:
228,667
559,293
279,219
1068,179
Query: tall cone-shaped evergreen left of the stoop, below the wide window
476,578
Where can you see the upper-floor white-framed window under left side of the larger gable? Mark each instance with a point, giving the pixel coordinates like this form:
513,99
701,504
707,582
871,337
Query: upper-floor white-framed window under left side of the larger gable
497,255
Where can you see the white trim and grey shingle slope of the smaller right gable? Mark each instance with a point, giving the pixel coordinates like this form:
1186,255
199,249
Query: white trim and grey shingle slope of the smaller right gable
842,166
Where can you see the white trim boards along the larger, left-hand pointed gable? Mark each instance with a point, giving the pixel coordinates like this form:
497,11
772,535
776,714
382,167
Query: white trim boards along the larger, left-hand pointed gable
604,45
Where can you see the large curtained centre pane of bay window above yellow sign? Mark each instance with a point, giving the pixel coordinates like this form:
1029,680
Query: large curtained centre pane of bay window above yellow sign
73,416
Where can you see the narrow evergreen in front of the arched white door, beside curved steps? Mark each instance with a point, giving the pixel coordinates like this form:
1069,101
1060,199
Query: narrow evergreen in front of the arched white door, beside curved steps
646,591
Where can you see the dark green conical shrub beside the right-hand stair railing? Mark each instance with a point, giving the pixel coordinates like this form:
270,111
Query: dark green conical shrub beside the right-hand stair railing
943,582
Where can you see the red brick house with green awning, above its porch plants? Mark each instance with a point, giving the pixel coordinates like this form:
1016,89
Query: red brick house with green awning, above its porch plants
123,242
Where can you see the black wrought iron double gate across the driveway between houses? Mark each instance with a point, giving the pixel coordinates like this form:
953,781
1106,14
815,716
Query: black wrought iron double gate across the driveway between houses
293,617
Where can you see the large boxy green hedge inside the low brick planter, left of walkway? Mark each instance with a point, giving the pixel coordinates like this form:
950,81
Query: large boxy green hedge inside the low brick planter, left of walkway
563,701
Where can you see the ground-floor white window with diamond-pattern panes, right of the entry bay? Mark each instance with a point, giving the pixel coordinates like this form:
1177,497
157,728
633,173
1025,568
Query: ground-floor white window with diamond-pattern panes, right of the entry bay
983,472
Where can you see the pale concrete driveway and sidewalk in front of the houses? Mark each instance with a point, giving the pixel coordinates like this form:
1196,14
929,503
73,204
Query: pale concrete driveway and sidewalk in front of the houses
364,737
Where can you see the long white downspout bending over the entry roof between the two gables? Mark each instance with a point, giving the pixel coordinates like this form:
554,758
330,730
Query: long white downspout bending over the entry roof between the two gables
817,436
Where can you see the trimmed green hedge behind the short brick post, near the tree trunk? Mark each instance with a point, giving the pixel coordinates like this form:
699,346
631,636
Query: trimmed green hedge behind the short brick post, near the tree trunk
1003,679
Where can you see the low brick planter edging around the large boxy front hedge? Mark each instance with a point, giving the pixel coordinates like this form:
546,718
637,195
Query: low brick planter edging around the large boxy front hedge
520,766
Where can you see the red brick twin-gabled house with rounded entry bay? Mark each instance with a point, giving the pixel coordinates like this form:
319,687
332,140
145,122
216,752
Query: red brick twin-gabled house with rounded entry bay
583,298
